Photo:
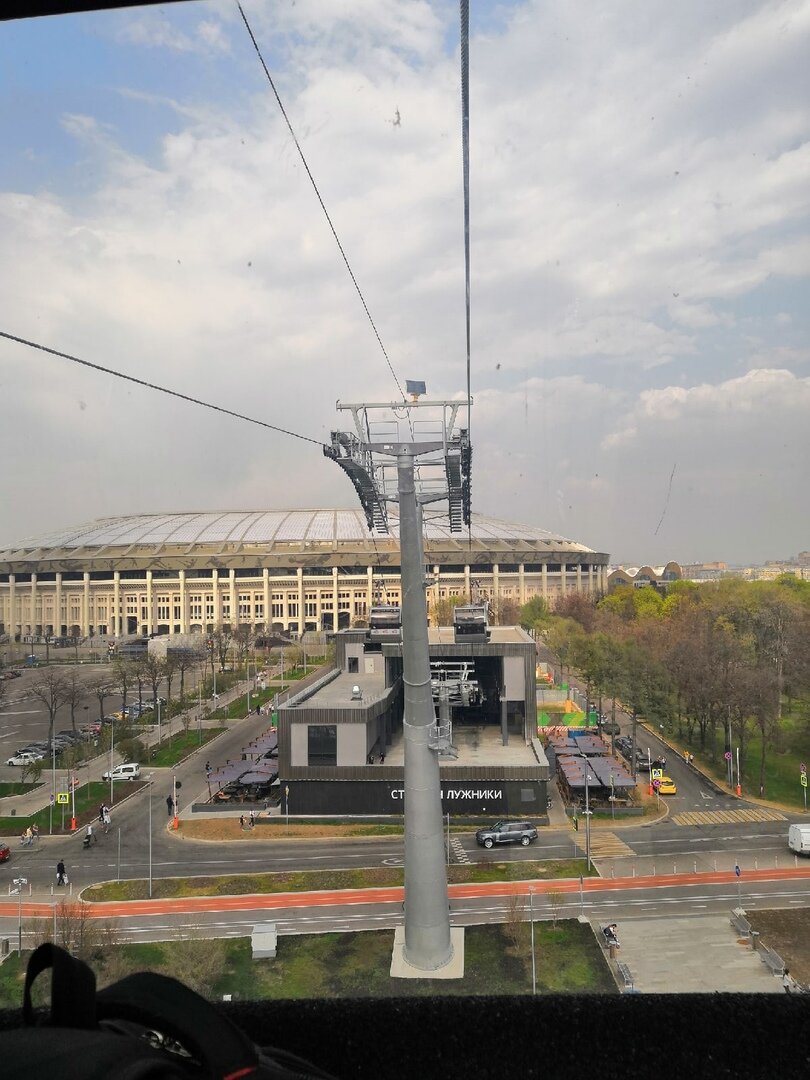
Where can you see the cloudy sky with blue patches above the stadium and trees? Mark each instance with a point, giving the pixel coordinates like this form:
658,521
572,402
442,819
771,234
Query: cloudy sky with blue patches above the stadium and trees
640,260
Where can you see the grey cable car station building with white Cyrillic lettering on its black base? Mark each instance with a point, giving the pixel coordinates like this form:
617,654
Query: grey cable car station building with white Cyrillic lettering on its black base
341,741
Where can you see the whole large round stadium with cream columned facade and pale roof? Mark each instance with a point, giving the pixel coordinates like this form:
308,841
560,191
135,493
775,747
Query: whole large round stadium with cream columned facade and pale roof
291,571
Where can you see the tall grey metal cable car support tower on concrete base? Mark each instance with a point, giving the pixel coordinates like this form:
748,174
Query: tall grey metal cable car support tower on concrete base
413,458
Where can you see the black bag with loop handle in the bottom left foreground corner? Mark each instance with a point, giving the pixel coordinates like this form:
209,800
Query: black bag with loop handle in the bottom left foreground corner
144,1027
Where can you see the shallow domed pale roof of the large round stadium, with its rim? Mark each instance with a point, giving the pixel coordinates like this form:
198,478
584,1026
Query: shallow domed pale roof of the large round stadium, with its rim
279,539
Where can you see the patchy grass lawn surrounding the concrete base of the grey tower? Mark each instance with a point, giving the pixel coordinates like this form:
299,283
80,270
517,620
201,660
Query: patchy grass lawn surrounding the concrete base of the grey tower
497,961
